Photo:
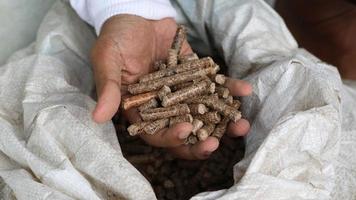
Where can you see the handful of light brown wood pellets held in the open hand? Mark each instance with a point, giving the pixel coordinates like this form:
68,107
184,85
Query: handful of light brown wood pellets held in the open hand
184,89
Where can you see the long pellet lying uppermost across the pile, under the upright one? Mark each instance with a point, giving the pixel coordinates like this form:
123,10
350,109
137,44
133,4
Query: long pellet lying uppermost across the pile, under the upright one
201,63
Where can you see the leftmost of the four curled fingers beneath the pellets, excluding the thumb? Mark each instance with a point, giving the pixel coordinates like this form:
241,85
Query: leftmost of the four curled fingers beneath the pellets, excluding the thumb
169,137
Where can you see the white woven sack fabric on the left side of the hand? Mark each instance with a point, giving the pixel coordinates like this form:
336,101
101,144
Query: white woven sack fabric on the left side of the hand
49,146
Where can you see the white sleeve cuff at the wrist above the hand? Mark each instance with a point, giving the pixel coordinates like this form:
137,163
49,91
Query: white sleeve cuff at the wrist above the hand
96,12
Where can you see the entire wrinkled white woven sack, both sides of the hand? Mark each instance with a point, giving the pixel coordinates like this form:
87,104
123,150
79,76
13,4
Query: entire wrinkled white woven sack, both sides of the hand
302,137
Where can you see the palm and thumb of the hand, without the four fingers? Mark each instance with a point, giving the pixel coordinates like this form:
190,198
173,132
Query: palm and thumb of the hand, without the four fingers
126,49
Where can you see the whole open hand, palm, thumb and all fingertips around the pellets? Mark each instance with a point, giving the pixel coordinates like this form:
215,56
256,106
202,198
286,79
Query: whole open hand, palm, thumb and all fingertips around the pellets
126,49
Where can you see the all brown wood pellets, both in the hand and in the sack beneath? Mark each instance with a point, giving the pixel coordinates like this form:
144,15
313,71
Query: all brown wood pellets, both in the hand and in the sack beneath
182,89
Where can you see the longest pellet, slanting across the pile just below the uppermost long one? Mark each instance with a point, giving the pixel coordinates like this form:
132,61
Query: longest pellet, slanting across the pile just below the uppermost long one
170,80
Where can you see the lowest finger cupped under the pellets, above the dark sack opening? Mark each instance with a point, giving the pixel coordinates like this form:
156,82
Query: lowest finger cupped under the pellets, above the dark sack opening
201,150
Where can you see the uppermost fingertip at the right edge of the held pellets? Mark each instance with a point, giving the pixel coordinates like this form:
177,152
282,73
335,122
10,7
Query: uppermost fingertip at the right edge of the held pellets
238,87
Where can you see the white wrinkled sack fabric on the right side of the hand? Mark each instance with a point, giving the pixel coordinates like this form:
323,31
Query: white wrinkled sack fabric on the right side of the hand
303,119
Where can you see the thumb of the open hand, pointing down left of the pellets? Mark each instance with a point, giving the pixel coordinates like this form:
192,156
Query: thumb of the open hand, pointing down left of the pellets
107,73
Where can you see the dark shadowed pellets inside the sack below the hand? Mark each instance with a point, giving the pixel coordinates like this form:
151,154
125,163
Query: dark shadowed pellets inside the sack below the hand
177,179
